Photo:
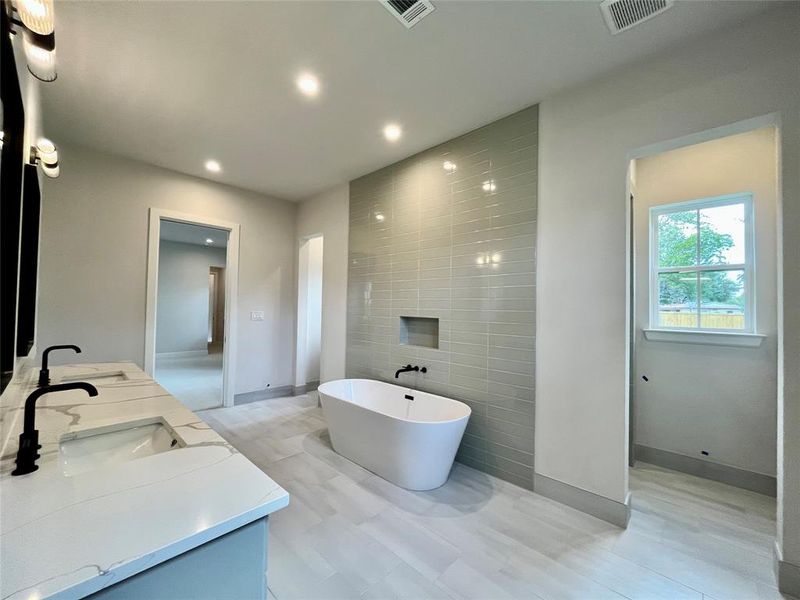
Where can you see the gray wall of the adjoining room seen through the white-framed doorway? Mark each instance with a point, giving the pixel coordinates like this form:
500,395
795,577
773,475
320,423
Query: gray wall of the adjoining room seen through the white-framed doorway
182,314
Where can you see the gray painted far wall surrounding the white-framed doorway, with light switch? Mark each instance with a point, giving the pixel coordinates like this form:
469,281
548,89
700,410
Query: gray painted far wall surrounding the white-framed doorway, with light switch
93,262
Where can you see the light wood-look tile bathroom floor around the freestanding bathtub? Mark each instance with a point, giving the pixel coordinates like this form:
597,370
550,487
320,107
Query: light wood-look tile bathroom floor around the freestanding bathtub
349,534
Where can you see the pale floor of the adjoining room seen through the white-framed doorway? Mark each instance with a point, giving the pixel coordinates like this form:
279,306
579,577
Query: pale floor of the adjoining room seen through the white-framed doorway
194,380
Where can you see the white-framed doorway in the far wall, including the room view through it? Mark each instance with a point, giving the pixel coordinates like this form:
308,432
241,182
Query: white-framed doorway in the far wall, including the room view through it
190,321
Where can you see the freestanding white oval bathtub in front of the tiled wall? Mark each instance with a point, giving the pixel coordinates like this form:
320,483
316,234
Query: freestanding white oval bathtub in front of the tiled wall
407,437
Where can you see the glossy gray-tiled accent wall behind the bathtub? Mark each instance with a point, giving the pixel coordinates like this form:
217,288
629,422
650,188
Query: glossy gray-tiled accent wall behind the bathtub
458,246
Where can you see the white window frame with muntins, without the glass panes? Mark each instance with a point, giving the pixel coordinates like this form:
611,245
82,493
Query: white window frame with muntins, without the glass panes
748,266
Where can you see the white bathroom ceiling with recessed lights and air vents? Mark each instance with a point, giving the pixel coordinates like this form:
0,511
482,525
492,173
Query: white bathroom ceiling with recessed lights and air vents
176,83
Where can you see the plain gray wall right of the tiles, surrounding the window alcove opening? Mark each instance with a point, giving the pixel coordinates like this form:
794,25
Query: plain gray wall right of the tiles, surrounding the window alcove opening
586,135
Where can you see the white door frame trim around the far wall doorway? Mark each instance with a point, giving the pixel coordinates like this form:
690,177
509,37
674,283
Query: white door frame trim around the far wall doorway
231,292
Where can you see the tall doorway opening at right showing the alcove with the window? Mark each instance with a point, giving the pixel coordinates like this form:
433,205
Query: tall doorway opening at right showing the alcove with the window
703,271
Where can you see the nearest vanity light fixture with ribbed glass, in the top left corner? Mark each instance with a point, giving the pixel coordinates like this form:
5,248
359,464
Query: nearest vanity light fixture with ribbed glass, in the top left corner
36,19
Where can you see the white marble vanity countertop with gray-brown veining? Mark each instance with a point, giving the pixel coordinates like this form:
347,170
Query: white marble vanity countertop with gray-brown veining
69,536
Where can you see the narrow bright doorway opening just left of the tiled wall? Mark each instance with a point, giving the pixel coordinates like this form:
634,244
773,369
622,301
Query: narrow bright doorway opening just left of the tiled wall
309,315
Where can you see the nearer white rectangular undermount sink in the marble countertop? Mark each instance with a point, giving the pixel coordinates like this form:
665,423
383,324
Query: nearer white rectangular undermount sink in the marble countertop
90,449
